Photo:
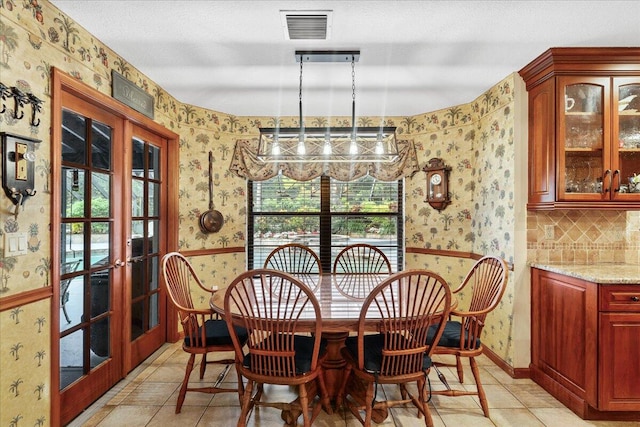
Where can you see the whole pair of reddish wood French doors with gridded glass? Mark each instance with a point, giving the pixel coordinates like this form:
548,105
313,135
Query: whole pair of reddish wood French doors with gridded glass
111,182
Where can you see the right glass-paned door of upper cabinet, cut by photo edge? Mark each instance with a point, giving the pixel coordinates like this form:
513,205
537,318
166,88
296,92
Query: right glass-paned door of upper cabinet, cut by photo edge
626,147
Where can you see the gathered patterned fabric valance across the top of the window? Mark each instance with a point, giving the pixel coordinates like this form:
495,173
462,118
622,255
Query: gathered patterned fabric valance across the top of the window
245,164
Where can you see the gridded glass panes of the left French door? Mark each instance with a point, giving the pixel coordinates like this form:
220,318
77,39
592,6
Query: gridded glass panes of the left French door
86,236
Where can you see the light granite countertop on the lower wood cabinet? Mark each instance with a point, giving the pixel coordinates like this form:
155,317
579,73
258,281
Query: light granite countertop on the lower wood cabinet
606,273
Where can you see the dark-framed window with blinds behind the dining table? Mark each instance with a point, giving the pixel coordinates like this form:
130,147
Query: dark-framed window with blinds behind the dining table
326,215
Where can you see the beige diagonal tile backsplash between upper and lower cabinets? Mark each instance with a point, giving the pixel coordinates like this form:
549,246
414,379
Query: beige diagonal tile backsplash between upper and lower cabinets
583,236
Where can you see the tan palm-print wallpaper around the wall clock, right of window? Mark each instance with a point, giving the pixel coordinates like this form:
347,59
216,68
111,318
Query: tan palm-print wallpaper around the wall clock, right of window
476,140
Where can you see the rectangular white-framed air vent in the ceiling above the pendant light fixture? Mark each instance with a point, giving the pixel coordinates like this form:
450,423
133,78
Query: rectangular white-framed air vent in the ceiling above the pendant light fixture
306,24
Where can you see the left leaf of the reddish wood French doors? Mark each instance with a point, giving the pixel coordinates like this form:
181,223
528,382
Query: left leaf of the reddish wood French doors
92,276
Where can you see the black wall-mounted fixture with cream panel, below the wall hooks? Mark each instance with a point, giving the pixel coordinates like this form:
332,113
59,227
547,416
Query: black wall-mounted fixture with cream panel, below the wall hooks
18,159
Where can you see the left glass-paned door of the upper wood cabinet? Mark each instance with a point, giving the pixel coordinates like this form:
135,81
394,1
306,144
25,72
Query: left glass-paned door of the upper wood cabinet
583,139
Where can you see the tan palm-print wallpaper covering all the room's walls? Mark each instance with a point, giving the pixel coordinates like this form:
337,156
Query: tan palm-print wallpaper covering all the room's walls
476,139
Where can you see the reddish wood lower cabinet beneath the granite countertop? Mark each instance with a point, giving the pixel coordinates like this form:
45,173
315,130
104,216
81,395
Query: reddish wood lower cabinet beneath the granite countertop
585,344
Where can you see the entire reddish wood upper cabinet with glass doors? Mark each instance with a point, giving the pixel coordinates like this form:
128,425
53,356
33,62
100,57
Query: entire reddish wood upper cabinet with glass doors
584,128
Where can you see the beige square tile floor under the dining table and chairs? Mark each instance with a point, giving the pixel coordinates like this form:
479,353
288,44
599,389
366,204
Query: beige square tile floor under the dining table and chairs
147,397
